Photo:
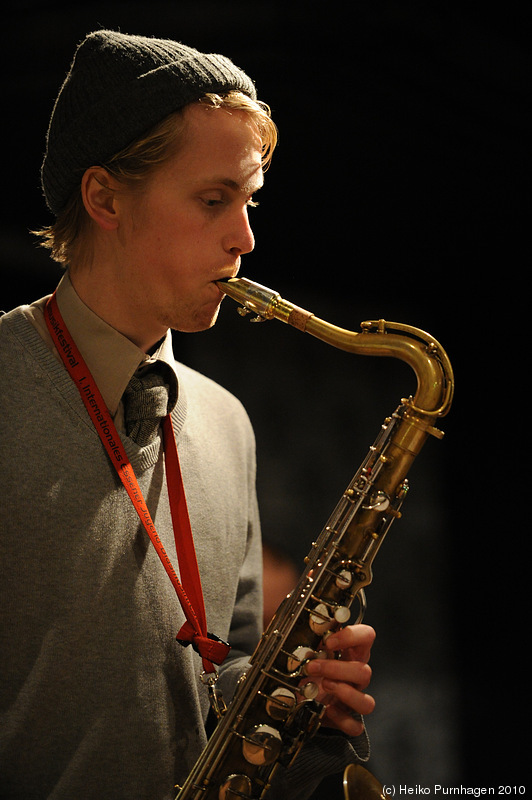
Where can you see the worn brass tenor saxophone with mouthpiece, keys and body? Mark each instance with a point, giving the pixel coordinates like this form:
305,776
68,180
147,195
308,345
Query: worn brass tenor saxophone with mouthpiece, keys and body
274,710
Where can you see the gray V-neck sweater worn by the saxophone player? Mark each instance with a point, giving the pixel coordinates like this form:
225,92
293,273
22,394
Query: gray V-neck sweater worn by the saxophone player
96,696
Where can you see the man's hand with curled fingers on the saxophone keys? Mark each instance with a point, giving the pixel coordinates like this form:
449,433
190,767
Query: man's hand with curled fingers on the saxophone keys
342,680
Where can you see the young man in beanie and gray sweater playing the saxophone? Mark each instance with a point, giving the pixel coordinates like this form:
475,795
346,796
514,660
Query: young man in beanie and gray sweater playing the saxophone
154,154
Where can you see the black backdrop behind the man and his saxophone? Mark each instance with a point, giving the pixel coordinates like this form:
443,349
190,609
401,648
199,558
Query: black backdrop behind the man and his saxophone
400,190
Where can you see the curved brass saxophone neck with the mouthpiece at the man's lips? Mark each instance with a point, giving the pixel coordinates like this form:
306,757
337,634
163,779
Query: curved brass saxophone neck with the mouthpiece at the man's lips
435,381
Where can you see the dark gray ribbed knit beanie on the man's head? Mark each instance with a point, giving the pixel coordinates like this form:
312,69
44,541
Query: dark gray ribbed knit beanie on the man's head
118,87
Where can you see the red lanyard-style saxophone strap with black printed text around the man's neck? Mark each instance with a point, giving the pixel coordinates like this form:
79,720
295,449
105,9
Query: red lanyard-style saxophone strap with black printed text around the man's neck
194,630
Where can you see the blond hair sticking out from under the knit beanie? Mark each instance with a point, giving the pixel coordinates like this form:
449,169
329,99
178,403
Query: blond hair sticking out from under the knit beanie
70,233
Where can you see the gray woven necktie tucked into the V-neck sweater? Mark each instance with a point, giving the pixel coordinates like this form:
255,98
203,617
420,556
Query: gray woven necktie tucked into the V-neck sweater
145,405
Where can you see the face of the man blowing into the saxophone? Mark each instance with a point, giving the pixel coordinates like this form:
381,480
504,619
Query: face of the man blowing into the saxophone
190,225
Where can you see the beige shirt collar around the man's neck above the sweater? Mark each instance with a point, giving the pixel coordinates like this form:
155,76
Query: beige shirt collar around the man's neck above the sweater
112,358
